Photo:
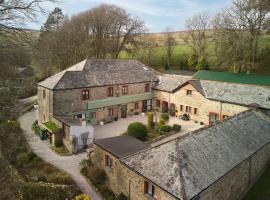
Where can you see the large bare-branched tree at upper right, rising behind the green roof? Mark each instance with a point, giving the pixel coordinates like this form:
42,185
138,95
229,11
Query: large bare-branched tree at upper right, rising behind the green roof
237,30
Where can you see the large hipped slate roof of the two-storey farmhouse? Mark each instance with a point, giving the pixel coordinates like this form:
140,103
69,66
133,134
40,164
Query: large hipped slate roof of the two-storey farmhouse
100,72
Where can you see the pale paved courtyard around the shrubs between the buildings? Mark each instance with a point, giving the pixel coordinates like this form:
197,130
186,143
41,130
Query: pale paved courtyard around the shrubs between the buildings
119,127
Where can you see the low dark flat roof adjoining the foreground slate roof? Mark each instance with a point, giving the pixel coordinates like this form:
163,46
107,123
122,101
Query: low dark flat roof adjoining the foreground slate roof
121,146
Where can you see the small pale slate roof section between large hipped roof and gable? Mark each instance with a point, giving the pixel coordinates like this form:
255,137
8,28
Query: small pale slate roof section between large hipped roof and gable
169,82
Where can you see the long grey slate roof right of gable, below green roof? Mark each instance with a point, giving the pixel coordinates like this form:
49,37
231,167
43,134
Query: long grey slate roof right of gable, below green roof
237,93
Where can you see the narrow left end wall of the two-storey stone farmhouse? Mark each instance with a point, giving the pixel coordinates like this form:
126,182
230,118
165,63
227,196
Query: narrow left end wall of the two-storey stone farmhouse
45,105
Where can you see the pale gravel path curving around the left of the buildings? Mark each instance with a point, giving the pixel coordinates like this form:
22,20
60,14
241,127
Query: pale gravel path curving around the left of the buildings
70,164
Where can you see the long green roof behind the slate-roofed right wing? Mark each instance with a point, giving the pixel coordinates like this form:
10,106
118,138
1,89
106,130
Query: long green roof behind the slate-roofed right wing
252,79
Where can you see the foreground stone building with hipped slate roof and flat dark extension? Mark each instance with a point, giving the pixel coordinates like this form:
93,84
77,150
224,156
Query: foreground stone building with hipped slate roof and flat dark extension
216,162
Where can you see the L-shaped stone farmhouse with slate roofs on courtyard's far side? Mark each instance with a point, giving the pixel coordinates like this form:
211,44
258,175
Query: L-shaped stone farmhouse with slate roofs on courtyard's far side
99,91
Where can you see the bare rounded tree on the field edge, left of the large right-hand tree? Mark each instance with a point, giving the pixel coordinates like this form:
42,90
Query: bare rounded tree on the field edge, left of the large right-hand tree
196,36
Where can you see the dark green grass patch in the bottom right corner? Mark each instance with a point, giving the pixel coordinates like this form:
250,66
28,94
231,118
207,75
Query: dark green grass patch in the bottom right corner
261,189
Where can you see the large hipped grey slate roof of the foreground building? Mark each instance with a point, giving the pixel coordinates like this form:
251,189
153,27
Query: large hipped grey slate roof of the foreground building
186,166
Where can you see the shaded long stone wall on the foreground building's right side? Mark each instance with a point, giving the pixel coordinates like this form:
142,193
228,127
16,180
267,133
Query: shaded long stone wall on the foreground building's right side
237,182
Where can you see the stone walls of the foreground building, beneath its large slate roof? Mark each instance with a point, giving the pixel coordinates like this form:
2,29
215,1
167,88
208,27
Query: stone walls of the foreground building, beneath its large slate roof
230,187
